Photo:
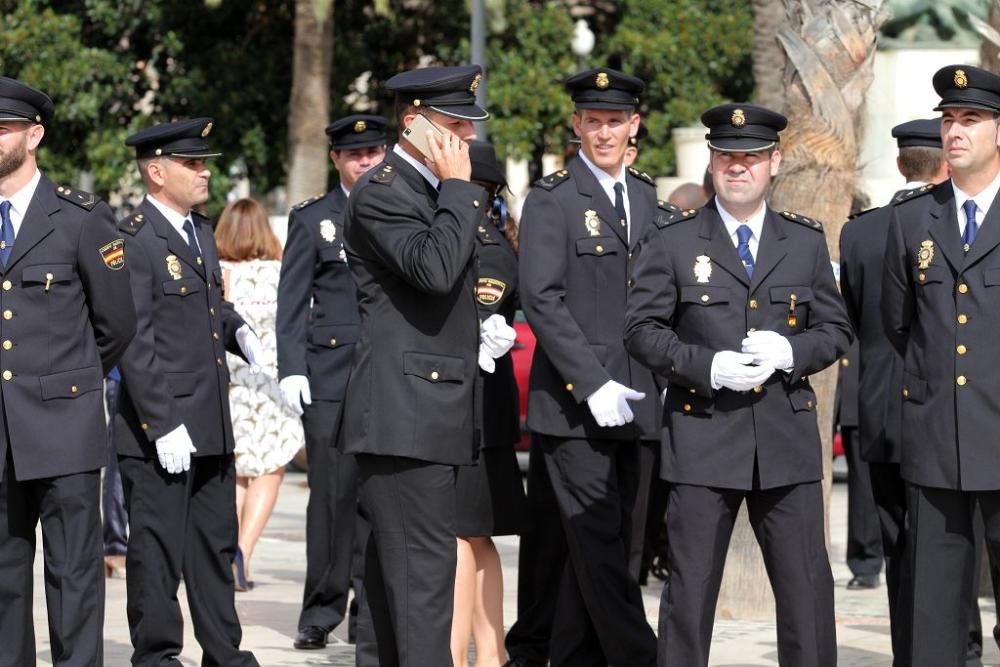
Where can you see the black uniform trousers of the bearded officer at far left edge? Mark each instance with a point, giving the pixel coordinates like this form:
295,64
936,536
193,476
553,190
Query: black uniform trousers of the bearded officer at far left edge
69,508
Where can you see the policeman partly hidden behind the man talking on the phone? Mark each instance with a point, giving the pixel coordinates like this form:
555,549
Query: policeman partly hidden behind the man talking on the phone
317,327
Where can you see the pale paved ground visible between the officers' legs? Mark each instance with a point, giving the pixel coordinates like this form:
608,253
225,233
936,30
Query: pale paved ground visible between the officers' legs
270,611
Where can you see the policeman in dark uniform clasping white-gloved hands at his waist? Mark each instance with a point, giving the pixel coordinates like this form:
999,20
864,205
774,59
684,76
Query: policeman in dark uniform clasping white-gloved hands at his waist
736,305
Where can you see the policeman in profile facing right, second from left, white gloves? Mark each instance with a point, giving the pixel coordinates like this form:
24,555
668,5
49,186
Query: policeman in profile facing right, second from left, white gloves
173,429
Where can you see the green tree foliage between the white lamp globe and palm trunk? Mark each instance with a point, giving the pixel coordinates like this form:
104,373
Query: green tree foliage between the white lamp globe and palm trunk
692,54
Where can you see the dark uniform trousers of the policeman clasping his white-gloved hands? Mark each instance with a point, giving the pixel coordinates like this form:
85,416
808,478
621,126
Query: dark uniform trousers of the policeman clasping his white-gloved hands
788,524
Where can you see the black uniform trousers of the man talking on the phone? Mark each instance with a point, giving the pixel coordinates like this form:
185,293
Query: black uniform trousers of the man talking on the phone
410,559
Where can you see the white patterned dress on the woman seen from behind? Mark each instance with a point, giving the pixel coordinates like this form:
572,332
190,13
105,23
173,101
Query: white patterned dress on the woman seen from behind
267,434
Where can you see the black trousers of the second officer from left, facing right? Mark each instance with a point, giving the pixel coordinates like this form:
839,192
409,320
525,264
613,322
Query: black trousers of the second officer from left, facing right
182,523
